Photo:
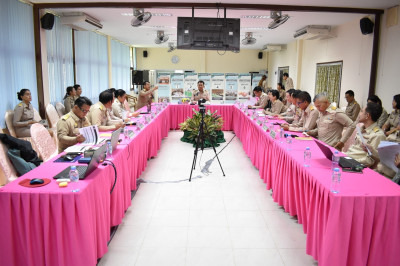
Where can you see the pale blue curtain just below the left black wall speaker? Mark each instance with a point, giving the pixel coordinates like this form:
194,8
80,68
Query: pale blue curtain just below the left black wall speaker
60,60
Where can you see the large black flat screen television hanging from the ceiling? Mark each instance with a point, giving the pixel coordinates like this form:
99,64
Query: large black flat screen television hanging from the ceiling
208,33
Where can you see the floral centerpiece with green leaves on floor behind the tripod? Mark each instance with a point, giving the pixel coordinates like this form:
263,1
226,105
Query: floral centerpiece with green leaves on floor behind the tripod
212,130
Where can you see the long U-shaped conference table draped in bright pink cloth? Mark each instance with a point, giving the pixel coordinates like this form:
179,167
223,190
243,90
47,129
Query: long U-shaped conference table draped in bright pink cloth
62,226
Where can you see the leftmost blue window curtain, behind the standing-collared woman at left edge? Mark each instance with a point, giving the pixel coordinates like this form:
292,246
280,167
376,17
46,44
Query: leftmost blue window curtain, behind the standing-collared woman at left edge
17,54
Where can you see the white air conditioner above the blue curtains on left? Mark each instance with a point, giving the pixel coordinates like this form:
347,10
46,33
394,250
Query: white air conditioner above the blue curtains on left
80,21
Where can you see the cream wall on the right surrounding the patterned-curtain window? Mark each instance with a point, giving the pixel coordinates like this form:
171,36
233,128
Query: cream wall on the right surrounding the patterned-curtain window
349,46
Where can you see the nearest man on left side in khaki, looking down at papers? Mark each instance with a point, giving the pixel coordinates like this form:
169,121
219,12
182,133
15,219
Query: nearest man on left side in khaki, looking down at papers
68,126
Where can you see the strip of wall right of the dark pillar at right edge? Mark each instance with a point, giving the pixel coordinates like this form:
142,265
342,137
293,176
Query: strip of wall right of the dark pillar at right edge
389,64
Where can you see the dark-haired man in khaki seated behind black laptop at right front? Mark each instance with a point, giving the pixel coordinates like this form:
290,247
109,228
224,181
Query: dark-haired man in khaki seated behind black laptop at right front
372,134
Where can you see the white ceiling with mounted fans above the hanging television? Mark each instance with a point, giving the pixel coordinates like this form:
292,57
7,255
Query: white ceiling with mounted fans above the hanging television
118,26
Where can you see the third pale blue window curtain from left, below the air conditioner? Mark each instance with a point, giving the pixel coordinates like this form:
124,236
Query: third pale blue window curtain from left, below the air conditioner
91,63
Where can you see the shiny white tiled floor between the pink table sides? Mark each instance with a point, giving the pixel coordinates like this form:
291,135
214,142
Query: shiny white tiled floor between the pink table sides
213,220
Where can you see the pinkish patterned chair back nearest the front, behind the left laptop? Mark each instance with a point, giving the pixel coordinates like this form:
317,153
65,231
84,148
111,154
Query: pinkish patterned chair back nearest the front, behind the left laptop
42,140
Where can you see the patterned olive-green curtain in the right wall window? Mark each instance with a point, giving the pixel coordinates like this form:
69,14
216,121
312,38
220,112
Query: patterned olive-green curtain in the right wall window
328,79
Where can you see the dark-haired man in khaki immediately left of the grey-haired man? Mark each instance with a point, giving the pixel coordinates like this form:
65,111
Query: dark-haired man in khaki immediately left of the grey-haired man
309,116
